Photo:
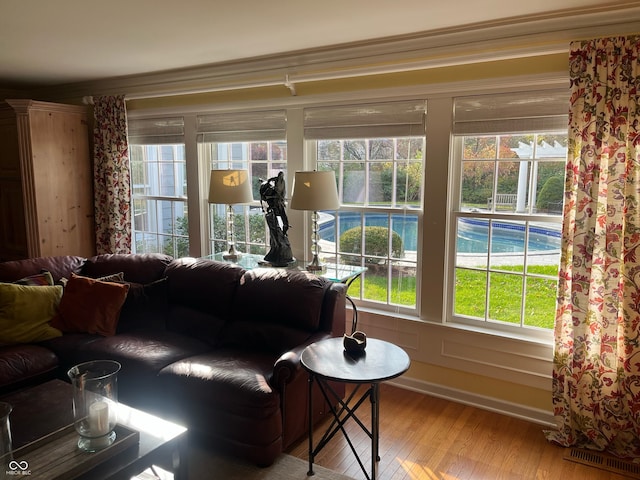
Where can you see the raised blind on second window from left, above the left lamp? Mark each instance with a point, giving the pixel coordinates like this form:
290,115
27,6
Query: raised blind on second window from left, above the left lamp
242,126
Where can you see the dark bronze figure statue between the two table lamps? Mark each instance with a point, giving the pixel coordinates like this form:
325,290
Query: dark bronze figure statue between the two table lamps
272,193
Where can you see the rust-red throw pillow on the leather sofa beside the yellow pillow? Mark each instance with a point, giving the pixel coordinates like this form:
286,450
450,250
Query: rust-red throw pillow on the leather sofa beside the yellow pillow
90,306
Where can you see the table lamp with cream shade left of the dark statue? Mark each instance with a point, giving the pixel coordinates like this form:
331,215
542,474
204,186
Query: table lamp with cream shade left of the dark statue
230,187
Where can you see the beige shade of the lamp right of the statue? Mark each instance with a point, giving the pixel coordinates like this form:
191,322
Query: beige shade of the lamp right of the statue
314,191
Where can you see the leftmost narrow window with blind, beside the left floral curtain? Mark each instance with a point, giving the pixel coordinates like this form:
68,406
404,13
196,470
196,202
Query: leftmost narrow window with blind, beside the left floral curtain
159,188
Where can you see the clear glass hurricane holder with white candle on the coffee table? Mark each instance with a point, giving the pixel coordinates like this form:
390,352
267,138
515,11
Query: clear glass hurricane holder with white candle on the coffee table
95,400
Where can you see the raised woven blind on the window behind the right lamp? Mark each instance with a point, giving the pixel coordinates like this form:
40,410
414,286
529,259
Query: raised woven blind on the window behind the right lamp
392,119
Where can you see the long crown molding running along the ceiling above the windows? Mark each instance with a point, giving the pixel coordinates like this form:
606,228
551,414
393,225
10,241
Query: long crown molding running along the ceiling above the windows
483,42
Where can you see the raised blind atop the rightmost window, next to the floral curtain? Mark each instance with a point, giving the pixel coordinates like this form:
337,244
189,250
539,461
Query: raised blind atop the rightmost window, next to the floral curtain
518,112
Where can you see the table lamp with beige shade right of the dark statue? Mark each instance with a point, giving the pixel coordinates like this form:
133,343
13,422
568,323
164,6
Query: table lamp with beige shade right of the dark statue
315,191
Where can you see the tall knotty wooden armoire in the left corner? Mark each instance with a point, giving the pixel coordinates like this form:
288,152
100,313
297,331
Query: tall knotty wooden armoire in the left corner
46,181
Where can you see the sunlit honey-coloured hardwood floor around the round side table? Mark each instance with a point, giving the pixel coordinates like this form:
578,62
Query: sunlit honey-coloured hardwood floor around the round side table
428,438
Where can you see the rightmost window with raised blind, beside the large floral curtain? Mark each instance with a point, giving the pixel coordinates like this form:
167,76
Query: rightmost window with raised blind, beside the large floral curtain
509,155
